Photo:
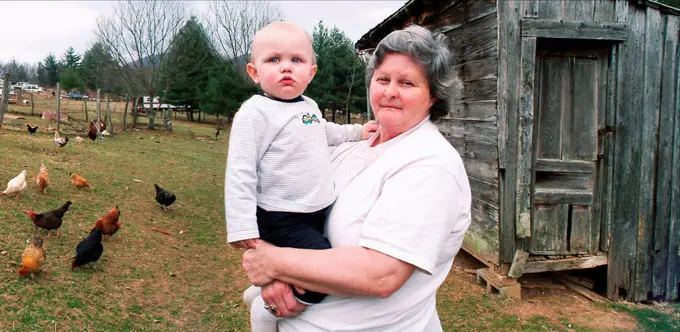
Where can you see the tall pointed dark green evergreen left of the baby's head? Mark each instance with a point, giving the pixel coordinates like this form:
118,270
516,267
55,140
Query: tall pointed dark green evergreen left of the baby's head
190,59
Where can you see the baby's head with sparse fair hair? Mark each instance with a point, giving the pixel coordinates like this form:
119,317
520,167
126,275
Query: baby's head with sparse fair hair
282,60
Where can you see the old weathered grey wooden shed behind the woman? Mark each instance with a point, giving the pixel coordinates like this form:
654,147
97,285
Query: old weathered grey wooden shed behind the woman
569,127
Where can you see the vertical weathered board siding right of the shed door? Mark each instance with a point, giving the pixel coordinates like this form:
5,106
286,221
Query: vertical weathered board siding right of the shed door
644,259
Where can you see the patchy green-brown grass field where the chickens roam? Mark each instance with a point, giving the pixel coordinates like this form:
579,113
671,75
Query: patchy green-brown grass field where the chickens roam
189,280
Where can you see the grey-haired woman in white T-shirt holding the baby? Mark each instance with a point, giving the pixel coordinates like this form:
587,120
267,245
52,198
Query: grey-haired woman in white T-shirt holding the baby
401,214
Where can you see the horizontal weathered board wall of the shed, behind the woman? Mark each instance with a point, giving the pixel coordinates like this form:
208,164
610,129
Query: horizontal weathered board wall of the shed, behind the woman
472,124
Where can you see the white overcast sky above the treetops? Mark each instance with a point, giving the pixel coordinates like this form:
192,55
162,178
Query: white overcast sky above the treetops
32,29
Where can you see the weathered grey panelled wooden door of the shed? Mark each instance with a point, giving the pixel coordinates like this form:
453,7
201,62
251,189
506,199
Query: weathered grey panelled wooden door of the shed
570,102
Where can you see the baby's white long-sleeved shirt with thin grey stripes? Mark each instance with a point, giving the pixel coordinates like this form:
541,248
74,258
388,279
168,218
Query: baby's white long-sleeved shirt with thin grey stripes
279,160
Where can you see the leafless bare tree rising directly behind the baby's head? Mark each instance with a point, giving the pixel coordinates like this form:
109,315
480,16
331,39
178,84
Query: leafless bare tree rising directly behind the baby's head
234,23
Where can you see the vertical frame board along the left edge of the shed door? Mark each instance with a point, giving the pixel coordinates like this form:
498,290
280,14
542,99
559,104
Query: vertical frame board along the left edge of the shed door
526,125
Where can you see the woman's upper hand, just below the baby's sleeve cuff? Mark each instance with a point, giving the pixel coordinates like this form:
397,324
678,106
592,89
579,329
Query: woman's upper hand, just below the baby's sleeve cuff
259,263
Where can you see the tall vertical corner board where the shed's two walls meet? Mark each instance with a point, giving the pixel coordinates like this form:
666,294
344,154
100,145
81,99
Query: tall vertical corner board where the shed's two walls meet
509,55
